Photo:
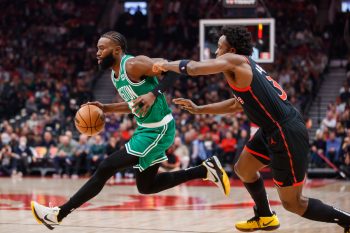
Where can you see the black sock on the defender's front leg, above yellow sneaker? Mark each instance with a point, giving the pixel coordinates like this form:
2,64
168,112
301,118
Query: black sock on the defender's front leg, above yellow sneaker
258,193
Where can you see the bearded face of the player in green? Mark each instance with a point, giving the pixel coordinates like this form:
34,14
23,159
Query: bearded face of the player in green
107,53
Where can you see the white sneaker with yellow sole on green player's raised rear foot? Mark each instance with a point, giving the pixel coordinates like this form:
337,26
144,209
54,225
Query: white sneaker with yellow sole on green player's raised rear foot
217,174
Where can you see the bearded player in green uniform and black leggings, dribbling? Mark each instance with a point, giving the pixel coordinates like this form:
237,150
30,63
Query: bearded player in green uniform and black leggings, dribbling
132,77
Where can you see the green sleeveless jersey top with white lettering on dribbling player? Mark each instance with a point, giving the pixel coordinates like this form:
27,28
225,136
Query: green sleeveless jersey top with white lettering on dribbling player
129,91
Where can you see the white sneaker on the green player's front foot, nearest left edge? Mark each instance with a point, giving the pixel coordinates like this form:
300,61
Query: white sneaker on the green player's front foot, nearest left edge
45,215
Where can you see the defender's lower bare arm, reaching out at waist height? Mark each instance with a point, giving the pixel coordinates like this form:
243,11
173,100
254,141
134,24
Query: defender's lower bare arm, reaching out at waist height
223,107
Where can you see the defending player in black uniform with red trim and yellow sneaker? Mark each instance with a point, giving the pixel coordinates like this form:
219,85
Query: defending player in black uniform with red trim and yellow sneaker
281,141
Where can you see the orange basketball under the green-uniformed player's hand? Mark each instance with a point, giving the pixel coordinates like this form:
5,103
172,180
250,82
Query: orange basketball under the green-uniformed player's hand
89,120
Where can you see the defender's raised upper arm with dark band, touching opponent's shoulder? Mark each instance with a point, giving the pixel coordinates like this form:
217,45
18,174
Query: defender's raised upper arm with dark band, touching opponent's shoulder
226,62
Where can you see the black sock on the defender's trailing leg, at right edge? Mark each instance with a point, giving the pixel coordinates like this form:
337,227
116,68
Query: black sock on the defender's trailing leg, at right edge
318,211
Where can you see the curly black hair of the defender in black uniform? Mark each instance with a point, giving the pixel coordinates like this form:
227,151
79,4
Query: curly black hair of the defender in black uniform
239,38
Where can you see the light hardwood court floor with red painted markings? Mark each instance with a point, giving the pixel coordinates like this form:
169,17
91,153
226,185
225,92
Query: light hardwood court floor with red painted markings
195,207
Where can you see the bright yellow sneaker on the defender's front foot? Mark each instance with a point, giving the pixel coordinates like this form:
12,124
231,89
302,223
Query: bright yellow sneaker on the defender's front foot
259,223
